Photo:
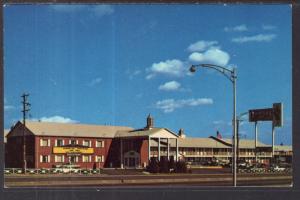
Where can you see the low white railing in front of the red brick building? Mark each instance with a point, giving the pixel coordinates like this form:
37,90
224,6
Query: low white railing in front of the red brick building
52,171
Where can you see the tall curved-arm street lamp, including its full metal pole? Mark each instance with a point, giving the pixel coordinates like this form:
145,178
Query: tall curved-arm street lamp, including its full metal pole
231,75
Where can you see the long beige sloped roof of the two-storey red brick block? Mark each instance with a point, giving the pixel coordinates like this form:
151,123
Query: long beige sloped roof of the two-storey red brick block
74,130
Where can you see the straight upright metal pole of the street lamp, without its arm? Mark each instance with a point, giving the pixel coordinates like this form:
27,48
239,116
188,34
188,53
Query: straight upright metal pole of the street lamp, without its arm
234,128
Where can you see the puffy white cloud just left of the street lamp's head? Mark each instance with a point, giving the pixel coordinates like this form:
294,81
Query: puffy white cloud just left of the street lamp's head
169,67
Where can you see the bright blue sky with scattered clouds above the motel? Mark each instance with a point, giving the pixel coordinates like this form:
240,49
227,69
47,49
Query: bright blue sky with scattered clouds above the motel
115,64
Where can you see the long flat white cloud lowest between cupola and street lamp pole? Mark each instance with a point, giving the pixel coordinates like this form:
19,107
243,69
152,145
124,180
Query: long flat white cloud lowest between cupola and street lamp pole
169,105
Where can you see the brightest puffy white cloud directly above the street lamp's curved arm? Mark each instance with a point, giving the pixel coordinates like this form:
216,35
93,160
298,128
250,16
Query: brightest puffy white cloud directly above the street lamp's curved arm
212,56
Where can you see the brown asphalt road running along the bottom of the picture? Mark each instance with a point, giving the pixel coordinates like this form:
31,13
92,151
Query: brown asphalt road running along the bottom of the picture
50,181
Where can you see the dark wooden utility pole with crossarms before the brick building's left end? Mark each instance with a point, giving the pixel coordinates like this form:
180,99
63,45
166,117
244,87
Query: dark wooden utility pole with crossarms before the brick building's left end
25,110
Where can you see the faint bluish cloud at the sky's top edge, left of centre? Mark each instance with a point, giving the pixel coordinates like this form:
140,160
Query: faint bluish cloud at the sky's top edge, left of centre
96,10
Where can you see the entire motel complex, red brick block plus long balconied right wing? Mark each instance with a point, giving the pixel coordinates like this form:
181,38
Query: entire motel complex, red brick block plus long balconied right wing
51,145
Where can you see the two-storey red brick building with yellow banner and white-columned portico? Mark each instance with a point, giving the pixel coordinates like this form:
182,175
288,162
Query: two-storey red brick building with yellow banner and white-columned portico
49,145
